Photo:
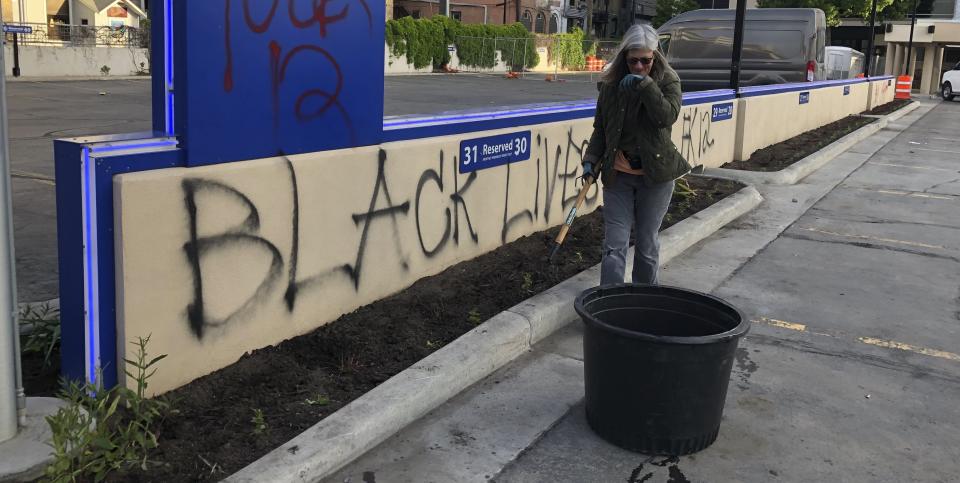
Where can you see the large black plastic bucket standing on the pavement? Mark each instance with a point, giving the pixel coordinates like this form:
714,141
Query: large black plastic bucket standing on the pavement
657,361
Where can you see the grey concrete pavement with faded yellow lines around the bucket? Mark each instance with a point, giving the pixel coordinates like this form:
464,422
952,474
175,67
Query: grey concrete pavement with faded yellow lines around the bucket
850,372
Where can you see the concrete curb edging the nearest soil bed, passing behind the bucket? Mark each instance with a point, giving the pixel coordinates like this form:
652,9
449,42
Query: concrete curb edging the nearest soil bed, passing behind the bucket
372,418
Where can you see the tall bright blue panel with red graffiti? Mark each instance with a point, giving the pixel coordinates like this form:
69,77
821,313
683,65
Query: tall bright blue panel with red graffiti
285,77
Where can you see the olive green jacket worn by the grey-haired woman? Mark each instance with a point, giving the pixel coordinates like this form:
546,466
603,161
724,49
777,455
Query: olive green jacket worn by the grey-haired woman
660,107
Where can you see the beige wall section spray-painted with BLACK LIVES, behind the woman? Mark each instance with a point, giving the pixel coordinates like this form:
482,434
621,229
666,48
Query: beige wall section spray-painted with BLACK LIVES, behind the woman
245,219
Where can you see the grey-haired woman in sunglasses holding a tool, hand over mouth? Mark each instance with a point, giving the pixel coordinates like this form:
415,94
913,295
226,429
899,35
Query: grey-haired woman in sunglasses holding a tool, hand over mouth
631,151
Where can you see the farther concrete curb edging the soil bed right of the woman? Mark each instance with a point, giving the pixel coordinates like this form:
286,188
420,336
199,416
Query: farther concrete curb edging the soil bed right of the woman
803,168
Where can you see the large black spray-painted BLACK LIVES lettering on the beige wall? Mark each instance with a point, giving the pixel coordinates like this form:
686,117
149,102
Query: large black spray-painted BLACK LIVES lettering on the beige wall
245,235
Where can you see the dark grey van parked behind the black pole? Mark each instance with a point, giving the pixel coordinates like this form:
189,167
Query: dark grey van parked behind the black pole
780,45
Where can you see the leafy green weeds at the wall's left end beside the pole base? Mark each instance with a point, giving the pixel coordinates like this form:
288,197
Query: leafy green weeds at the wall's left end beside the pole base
104,430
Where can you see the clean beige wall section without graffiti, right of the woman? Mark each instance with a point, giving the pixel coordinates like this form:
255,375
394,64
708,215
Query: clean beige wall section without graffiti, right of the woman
766,120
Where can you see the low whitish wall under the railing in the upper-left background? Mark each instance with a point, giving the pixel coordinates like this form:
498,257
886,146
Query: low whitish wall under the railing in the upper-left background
50,61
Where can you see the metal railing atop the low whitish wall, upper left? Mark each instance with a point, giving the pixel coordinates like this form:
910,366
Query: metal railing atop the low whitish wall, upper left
80,35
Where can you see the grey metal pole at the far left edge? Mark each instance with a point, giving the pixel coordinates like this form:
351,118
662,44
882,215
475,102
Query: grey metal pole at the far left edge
12,401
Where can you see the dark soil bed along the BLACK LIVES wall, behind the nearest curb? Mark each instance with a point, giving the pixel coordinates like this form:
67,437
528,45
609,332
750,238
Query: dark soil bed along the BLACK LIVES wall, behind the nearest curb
300,381
